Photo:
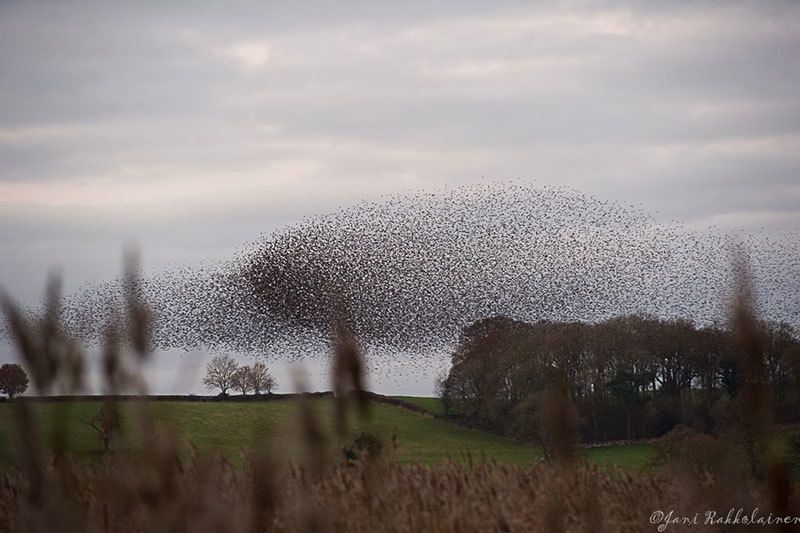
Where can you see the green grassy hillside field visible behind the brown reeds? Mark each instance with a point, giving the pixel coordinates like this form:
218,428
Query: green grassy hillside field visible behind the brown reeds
234,427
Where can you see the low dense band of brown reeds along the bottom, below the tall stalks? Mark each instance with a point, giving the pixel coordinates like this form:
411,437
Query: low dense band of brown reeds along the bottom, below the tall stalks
156,493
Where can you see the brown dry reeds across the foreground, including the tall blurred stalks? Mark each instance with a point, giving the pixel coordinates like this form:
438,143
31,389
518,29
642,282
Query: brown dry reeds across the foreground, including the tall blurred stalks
156,487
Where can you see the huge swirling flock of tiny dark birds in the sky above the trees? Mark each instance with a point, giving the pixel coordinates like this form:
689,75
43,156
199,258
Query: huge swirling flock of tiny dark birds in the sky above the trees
408,272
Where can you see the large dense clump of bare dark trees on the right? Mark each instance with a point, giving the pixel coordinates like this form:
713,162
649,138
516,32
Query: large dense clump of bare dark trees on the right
629,377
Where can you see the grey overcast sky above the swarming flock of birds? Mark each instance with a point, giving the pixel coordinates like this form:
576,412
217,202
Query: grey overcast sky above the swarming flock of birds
191,130
